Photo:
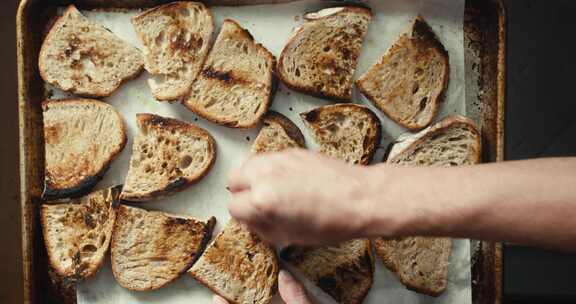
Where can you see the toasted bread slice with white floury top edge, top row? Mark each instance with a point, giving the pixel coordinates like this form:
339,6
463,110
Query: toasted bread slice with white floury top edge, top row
321,56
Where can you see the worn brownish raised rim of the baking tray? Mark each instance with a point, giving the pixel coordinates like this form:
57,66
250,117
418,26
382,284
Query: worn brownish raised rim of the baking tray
27,199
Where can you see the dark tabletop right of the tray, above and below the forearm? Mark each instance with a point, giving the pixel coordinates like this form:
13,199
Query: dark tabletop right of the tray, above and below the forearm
540,122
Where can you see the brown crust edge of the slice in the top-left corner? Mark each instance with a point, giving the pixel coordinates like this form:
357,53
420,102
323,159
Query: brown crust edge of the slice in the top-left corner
42,65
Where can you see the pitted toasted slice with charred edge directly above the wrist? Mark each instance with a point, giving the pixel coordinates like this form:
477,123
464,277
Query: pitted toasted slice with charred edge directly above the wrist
346,131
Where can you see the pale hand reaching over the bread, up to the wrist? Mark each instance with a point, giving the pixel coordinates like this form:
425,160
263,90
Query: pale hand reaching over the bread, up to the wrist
300,197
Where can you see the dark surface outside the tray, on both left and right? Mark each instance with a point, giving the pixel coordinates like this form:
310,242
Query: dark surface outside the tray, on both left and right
540,122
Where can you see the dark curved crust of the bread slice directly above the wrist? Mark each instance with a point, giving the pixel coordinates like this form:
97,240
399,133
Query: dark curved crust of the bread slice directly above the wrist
371,146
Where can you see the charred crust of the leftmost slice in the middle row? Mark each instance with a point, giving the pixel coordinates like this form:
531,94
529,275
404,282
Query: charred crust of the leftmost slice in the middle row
53,192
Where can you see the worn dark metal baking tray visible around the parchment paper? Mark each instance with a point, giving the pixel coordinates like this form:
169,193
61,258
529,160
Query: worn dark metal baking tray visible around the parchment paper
484,51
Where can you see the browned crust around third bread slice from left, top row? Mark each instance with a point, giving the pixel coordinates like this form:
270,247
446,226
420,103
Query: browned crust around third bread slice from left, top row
268,101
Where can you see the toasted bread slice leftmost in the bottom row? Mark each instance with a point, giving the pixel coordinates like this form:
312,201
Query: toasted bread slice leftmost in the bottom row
77,233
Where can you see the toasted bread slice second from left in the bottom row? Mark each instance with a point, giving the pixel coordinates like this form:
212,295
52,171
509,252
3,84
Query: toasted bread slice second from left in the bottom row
151,249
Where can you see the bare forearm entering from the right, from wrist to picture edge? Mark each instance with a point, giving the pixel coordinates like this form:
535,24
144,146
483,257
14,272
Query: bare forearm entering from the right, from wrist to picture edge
530,202
